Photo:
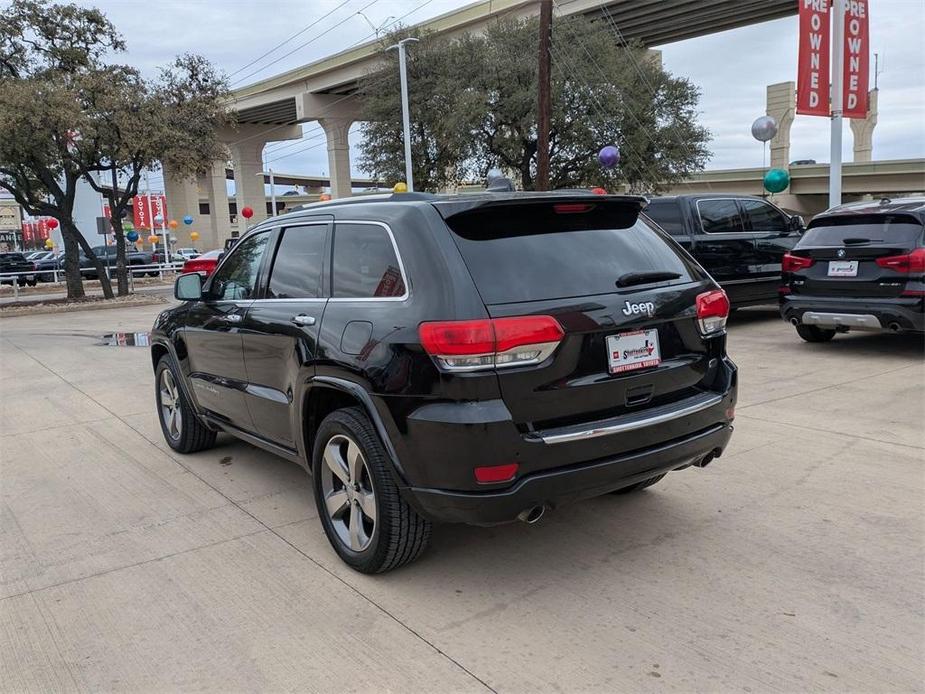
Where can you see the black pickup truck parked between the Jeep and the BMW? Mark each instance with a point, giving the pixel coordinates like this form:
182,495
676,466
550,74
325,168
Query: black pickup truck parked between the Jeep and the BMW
739,239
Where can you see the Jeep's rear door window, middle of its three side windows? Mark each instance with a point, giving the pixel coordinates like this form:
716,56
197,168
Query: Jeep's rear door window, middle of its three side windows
298,265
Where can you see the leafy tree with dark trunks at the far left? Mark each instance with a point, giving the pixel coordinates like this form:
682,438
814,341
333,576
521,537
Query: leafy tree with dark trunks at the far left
67,116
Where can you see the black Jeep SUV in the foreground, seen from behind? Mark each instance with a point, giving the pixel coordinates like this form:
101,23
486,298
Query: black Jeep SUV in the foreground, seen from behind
474,359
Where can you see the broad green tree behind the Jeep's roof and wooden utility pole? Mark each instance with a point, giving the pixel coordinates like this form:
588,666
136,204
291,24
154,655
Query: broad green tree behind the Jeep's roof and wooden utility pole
483,99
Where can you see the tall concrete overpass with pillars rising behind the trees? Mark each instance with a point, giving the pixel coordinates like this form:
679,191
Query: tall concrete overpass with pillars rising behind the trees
273,109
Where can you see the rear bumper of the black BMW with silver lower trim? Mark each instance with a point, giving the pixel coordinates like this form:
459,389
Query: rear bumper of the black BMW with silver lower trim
845,313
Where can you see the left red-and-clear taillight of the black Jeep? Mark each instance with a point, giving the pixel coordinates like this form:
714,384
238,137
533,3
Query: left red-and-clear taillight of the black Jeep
487,343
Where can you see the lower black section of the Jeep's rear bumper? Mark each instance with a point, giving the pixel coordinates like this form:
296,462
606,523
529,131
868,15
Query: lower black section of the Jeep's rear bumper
553,488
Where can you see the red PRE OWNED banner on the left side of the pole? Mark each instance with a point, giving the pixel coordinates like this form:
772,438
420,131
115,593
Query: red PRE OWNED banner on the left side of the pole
813,63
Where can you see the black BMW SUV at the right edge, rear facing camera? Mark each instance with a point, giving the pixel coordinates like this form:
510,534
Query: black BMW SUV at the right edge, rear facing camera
859,266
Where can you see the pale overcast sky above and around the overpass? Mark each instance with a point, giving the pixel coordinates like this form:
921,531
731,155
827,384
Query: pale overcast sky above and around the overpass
731,68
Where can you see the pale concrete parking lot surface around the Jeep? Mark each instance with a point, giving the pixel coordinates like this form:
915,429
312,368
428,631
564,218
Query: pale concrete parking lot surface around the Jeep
793,563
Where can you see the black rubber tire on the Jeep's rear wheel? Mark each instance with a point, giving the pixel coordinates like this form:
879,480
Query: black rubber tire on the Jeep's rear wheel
399,535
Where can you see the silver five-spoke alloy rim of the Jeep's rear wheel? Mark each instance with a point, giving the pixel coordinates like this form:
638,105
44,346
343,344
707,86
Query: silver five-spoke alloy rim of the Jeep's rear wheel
347,489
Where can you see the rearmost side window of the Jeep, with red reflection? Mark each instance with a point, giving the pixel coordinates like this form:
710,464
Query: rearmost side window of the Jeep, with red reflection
365,264
